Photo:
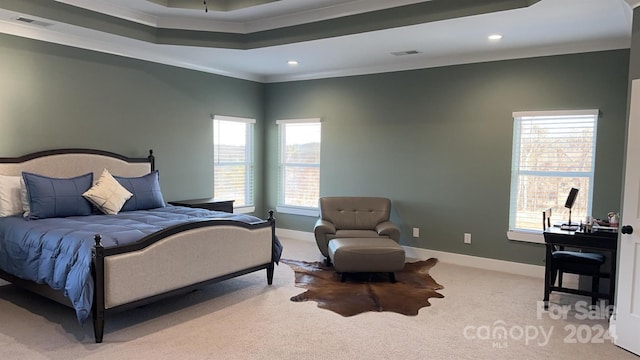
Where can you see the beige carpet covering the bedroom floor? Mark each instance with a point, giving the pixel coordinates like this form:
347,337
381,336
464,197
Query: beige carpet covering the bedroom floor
246,319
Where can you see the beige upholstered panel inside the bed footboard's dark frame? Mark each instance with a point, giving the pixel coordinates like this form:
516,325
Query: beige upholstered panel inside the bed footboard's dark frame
184,259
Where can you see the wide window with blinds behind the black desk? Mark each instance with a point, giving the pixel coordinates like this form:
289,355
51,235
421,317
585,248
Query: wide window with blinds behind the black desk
553,151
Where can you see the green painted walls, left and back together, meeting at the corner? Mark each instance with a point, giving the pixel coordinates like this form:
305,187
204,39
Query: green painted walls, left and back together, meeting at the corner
435,141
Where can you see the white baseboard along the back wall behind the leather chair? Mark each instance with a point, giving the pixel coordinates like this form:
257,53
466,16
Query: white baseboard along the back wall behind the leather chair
446,257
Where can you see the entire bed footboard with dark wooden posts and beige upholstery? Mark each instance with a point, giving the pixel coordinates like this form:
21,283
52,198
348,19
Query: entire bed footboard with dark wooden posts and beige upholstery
176,260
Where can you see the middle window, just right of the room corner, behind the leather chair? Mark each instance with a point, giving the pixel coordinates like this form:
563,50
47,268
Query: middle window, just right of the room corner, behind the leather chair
299,178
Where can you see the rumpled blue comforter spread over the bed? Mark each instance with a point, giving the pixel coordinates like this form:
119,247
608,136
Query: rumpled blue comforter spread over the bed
57,251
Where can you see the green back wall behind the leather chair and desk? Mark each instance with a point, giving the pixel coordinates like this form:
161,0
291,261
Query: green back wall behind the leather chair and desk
437,142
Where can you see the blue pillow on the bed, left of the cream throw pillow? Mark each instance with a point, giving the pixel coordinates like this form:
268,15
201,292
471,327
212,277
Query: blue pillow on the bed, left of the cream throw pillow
56,197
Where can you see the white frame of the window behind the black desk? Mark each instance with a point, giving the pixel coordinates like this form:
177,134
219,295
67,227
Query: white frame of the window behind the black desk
535,235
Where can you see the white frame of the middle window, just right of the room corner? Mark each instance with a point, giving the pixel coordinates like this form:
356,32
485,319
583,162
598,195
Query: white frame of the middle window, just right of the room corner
287,208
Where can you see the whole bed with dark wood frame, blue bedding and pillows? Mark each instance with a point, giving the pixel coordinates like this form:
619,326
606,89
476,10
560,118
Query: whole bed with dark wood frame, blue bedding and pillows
90,229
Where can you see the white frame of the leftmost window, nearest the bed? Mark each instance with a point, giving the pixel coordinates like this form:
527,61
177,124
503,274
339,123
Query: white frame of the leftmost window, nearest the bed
249,162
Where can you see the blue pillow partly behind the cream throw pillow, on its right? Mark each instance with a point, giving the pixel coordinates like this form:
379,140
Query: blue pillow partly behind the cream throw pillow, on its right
146,192
